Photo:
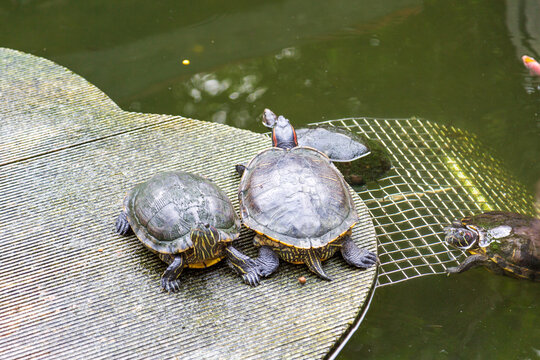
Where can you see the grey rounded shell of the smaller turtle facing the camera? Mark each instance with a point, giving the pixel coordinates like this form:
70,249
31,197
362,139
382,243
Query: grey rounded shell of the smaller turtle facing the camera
163,210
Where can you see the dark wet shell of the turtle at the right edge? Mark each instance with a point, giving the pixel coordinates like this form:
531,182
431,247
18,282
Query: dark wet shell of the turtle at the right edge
514,241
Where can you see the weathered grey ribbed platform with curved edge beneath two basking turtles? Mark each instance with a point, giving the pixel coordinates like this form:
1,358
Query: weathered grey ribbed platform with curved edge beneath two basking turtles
71,288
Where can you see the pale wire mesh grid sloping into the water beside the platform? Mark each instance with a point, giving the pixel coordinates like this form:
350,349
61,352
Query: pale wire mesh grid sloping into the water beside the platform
439,173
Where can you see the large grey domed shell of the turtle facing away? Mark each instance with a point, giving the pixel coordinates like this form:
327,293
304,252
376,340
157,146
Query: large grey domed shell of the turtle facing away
296,197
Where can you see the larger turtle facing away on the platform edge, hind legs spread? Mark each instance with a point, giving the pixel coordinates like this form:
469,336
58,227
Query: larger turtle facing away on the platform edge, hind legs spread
298,204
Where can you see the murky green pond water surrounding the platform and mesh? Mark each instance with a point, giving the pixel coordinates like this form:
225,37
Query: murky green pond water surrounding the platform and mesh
452,62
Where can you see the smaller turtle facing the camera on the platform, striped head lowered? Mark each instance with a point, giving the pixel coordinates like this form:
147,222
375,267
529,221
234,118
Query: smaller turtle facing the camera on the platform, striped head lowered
188,221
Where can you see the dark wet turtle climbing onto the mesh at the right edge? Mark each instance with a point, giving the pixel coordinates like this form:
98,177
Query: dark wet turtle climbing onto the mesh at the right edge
506,243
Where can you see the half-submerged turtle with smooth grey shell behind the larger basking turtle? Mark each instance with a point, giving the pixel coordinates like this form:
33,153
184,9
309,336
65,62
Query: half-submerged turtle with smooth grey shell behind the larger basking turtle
360,160
